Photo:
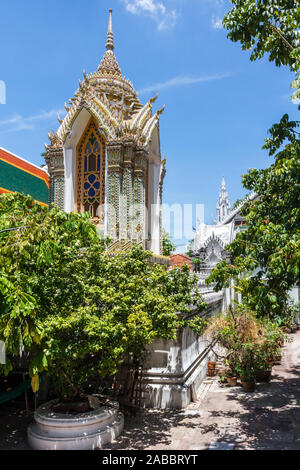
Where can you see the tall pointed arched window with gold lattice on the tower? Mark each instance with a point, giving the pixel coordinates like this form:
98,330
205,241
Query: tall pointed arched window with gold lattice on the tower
91,172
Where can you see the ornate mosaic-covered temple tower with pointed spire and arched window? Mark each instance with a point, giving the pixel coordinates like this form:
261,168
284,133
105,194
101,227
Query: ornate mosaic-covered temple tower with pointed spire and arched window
105,156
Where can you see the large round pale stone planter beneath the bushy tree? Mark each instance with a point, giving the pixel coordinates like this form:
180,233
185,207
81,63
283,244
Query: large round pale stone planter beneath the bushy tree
82,431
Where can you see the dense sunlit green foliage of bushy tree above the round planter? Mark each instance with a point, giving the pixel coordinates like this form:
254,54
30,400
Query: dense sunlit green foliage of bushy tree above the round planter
77,311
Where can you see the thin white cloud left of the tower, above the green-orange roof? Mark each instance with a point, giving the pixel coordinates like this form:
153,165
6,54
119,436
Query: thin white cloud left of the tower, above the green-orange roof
20,123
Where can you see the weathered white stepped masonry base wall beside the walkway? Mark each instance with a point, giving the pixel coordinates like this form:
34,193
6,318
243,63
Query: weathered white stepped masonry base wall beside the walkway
174,370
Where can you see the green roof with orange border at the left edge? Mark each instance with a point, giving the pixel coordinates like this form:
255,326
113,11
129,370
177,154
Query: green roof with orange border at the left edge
18,175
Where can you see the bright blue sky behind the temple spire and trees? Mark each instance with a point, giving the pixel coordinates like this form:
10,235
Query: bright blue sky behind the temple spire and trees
219,105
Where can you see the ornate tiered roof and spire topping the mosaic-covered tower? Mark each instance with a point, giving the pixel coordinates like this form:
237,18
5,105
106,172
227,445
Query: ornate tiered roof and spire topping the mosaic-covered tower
112,100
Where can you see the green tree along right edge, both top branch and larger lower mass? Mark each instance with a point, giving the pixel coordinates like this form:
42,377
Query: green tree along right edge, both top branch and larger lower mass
265,258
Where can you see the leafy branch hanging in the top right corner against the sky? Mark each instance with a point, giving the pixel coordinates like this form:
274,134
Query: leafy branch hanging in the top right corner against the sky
268,27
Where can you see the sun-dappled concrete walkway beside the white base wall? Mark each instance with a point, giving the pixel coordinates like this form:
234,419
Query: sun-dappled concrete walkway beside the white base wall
227,418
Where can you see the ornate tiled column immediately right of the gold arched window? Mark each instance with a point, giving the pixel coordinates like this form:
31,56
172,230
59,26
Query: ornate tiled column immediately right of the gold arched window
114,184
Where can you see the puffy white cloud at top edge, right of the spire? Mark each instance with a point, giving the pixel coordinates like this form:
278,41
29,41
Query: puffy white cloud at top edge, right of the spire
164,18
